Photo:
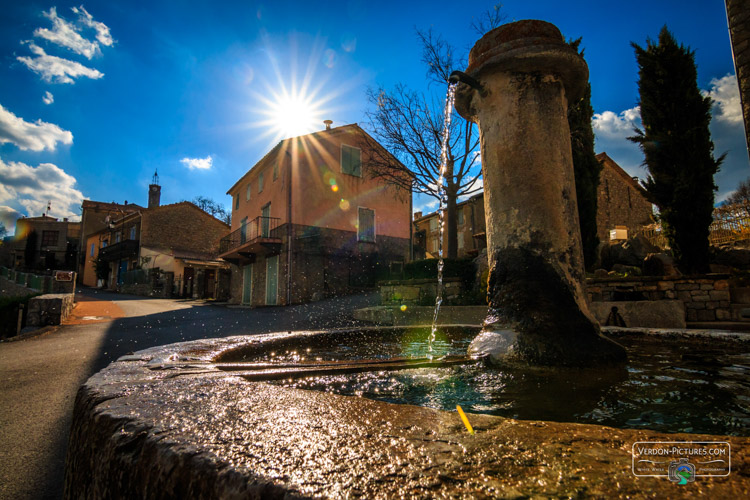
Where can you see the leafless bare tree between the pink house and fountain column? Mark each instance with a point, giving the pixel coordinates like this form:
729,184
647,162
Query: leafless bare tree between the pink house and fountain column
409,124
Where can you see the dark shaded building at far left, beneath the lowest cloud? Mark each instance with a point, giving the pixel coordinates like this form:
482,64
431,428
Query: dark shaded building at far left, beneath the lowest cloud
55,243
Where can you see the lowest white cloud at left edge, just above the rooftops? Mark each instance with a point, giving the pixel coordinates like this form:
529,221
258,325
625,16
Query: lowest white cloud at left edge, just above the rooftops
34,187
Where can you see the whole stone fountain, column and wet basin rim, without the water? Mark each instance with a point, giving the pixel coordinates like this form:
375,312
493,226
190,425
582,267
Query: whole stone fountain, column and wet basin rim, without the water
196,420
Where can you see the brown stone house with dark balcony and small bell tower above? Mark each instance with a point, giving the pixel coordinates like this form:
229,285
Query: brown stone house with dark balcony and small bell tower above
179,240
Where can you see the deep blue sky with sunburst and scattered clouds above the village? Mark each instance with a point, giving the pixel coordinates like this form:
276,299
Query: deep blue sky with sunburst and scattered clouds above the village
95,96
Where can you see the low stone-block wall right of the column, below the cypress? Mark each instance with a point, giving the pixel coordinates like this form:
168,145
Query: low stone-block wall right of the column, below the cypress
706,297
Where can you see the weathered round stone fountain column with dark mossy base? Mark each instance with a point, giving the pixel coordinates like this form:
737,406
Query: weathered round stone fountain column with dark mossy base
517,86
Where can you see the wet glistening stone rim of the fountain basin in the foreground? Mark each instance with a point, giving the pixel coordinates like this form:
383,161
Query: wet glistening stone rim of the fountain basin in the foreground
168,422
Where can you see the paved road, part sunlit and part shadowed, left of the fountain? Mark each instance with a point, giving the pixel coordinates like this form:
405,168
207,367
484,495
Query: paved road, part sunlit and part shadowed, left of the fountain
39,376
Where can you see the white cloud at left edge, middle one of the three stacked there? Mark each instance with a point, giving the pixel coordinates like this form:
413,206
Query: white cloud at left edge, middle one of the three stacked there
36,136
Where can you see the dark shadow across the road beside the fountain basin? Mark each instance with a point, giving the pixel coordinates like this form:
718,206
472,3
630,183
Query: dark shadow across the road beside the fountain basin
198,321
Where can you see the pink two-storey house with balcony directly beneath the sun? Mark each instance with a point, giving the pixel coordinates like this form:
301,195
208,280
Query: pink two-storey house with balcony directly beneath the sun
308,221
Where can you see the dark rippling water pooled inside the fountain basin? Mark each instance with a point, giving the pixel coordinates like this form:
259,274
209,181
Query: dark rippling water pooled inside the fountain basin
667,385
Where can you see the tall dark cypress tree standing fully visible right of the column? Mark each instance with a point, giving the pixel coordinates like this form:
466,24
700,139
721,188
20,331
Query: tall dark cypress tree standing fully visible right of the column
677,146
